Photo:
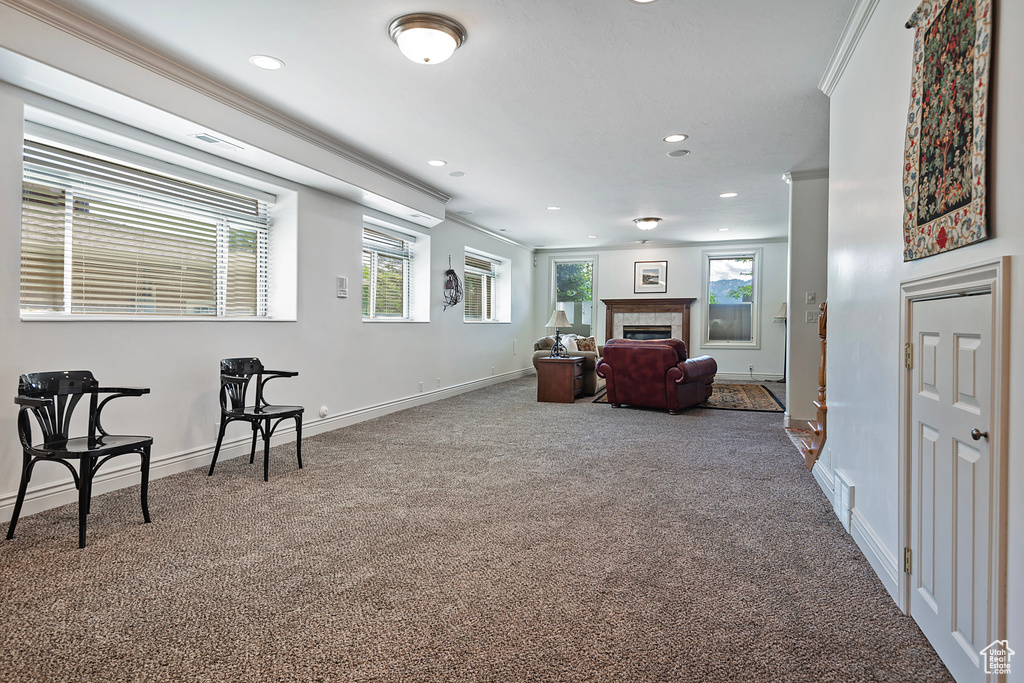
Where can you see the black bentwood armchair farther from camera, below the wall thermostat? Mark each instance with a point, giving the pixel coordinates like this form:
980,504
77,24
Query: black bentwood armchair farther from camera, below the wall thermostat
236,374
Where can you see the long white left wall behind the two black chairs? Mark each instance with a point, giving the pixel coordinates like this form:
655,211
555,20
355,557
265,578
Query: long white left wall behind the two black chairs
358,370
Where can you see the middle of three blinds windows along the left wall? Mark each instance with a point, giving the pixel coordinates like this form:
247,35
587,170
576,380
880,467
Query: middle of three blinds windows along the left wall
388,274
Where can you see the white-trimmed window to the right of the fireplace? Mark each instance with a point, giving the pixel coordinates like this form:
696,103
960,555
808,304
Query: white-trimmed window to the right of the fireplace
732,294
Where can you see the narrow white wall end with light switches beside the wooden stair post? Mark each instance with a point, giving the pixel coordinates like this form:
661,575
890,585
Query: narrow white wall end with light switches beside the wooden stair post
808,273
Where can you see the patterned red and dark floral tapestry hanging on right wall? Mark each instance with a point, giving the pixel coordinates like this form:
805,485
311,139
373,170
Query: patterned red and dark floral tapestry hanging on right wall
945,176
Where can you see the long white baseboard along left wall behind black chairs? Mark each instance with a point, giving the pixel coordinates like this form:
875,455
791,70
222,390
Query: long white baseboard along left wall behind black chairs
126,474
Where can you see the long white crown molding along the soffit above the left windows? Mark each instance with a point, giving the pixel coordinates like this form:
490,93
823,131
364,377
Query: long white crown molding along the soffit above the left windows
95,34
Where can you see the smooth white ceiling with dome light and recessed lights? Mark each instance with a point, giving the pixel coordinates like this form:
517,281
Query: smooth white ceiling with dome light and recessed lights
549,103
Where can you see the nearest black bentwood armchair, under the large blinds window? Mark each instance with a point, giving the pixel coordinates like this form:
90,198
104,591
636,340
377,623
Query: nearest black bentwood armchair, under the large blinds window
52,399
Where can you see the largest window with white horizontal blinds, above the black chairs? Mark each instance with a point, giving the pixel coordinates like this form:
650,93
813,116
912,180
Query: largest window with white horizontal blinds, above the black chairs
108,239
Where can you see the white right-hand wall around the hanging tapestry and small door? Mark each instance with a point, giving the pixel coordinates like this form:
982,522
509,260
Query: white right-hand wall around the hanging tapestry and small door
866,269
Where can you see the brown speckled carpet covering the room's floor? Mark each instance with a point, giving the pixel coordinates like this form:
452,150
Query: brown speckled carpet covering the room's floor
486,538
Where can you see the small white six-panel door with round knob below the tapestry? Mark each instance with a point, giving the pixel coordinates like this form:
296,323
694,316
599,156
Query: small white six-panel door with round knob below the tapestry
951,475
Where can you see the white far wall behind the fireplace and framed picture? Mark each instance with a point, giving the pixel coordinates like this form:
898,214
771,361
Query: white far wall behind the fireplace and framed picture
615,281
